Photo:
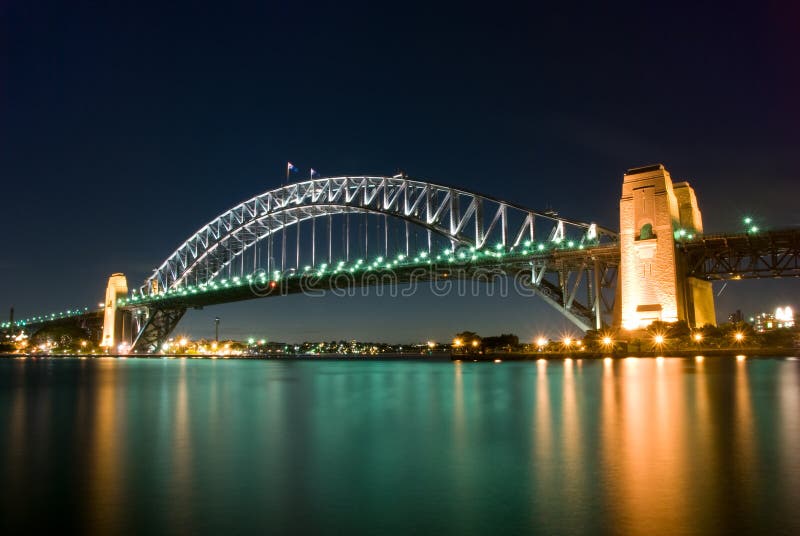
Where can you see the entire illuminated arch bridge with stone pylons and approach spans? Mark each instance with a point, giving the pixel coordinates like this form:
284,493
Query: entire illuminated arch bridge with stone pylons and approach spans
326,234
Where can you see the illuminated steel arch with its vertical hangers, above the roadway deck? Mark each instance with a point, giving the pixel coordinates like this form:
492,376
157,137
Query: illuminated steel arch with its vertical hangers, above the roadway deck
266,232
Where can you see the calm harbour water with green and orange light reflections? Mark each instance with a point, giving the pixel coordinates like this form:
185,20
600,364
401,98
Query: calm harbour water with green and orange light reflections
633,446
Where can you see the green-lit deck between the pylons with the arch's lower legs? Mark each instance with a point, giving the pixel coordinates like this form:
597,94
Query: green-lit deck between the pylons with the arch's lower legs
526,269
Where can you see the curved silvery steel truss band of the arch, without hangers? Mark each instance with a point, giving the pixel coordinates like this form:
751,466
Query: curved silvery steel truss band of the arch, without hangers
432,206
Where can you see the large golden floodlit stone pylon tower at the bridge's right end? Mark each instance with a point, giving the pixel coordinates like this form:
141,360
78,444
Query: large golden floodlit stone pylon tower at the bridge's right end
653,213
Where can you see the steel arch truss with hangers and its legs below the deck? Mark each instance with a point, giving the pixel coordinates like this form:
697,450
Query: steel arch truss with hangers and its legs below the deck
462,218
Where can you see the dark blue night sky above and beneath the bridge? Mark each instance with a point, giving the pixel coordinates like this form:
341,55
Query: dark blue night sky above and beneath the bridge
124,127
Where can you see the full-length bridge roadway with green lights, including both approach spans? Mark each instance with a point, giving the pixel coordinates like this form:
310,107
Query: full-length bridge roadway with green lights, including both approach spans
767,254
